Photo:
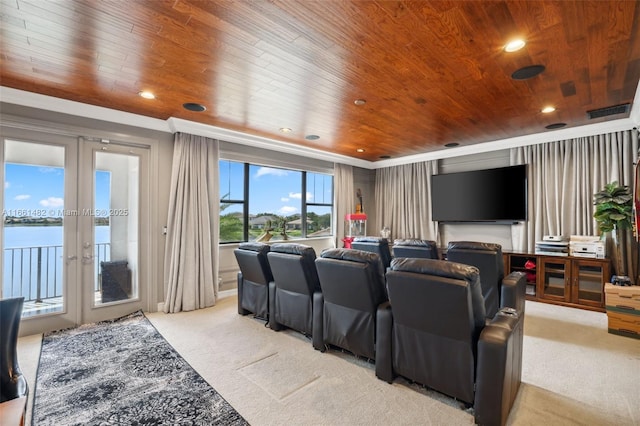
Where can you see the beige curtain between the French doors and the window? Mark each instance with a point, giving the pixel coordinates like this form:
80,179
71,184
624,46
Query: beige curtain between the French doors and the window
191,255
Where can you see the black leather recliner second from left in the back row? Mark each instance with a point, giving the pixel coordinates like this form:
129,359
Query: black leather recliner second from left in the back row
295,281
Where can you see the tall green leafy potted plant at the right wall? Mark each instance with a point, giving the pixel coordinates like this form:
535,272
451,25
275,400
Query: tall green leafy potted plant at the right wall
614,214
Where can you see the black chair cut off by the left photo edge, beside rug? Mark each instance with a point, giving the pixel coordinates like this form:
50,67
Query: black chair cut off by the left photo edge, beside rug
12,382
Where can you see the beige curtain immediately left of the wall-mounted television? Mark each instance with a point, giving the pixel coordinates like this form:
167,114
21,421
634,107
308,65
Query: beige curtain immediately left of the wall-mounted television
403,200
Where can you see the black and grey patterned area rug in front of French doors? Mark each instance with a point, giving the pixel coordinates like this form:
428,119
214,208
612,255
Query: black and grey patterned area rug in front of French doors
122,372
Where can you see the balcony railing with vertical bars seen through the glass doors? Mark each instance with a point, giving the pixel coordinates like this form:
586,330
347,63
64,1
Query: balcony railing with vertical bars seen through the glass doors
35,273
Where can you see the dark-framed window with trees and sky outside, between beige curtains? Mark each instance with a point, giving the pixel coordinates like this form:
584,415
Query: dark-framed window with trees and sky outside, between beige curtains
261,203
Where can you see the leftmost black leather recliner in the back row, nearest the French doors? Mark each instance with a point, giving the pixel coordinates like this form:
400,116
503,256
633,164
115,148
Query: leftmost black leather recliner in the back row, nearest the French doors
253,279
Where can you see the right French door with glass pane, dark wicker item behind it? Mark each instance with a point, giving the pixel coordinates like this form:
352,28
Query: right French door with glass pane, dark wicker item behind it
112,237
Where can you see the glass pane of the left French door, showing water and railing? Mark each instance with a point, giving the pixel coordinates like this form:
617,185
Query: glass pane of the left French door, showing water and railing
33,227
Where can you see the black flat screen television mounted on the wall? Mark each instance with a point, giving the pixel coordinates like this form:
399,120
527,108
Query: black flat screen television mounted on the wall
489,195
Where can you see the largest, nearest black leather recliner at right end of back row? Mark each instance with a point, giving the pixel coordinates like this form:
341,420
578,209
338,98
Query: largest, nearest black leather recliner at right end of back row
434,333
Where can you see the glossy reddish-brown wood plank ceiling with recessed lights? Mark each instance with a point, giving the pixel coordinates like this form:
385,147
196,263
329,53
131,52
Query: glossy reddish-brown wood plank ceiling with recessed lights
431,72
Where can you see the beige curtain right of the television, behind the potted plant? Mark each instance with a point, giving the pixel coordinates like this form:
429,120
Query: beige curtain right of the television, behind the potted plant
562,178
